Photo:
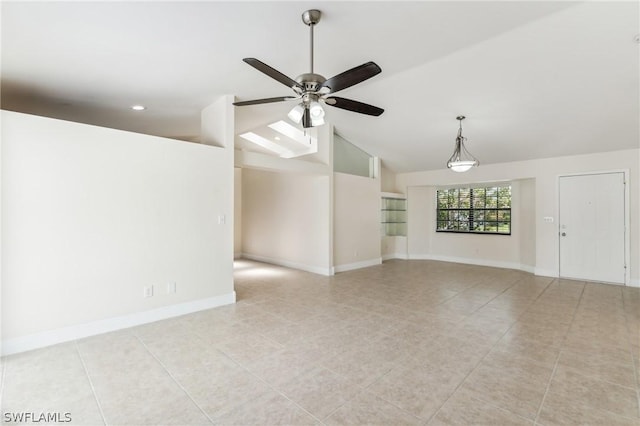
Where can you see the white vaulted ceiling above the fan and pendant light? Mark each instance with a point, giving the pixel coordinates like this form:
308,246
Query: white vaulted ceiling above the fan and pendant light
535,79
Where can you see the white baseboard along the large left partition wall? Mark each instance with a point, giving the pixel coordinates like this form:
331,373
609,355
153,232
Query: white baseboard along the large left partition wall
74,332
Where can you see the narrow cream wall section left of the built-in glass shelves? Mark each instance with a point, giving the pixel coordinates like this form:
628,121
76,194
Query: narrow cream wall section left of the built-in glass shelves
356,233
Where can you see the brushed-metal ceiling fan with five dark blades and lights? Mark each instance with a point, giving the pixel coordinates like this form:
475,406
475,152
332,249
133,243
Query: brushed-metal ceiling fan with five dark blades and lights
313,88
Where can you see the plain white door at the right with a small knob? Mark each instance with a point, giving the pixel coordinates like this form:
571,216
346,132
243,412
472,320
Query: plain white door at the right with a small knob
592,227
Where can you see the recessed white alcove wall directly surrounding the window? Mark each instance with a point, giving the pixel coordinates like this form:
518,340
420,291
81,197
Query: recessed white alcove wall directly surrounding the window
495,250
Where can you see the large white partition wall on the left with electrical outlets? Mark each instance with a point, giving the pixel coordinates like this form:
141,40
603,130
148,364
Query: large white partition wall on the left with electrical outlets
92,215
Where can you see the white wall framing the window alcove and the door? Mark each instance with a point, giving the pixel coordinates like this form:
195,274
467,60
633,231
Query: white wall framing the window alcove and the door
545,173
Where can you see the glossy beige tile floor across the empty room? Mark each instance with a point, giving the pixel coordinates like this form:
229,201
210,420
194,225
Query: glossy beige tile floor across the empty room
407,342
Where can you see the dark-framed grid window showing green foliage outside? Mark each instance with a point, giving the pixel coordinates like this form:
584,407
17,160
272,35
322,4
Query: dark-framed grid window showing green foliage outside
474,210
